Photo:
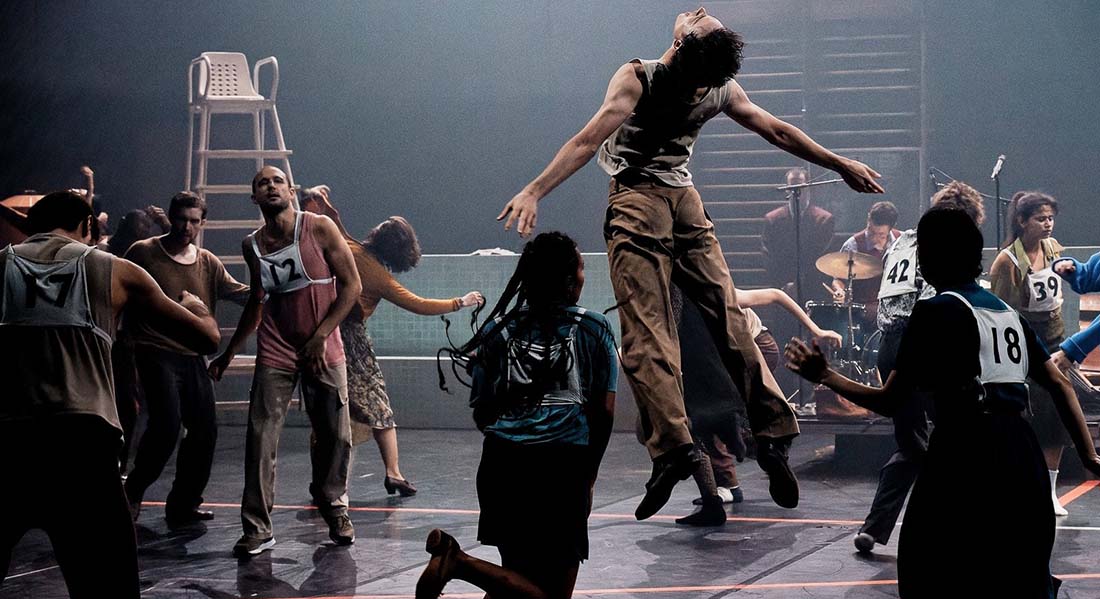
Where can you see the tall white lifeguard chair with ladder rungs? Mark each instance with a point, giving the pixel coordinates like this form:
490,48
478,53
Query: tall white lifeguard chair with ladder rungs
221,85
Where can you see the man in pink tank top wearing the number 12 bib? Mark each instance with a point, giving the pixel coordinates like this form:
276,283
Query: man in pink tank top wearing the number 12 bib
303,284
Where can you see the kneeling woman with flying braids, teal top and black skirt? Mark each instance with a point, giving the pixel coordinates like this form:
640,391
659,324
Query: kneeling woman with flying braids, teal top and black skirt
543,390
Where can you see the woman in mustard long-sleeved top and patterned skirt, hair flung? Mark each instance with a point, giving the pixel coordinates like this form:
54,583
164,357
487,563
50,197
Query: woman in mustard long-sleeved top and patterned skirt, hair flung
391,248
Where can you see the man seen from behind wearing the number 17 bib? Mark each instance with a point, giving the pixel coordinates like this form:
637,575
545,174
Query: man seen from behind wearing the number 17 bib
60,432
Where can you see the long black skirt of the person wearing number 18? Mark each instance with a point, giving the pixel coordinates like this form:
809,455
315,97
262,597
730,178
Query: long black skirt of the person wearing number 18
980,523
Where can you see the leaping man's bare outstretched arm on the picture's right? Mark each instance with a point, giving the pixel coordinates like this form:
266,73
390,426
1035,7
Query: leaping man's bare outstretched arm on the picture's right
791,139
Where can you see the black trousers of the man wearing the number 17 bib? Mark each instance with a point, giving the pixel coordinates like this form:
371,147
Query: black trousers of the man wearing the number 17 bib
62,475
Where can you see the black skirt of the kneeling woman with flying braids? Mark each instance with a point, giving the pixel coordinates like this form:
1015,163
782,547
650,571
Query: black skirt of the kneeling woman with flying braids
535,500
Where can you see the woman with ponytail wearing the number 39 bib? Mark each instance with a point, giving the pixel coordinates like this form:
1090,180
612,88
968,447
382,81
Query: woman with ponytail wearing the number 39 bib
1022,276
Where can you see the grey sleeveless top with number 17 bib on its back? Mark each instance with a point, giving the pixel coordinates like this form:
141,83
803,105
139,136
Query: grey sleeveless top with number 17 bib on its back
58,318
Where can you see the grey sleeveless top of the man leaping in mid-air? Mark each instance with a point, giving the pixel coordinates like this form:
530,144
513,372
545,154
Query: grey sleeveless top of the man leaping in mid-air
658,138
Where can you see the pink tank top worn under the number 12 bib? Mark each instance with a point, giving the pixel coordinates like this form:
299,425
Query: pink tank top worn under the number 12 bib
290,319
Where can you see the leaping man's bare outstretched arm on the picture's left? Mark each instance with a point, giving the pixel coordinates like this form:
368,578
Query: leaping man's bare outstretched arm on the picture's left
623,95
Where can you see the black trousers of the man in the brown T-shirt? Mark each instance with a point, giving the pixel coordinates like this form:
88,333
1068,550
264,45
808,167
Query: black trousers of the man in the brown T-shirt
179,392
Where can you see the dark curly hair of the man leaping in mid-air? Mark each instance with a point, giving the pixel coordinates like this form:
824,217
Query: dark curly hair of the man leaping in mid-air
711,60
